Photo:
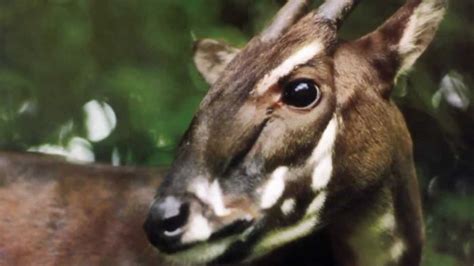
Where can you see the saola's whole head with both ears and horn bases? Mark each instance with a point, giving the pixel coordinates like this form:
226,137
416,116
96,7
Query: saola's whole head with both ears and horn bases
296,126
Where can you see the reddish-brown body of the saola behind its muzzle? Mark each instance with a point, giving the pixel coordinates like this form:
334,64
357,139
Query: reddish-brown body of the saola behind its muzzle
56,213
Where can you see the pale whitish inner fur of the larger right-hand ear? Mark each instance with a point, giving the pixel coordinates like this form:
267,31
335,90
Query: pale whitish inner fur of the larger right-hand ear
425,16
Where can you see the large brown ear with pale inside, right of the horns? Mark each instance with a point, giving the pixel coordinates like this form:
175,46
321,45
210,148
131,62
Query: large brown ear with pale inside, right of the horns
398,43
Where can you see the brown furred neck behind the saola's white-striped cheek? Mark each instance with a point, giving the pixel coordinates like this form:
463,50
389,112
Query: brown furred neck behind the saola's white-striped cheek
384,141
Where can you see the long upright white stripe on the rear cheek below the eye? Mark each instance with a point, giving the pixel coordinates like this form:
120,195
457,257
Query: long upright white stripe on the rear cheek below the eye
322,156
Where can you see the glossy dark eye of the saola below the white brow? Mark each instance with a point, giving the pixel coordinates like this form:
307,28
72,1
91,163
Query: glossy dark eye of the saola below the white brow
301,93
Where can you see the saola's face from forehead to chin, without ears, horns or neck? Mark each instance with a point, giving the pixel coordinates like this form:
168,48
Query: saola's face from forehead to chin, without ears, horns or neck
251,146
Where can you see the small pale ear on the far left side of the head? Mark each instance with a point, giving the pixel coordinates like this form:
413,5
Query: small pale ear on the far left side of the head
211,58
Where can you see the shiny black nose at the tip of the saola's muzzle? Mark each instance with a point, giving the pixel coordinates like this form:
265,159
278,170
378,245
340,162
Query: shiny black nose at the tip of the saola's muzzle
165,223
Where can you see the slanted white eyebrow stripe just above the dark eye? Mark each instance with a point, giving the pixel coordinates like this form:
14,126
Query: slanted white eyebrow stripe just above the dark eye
302,56
